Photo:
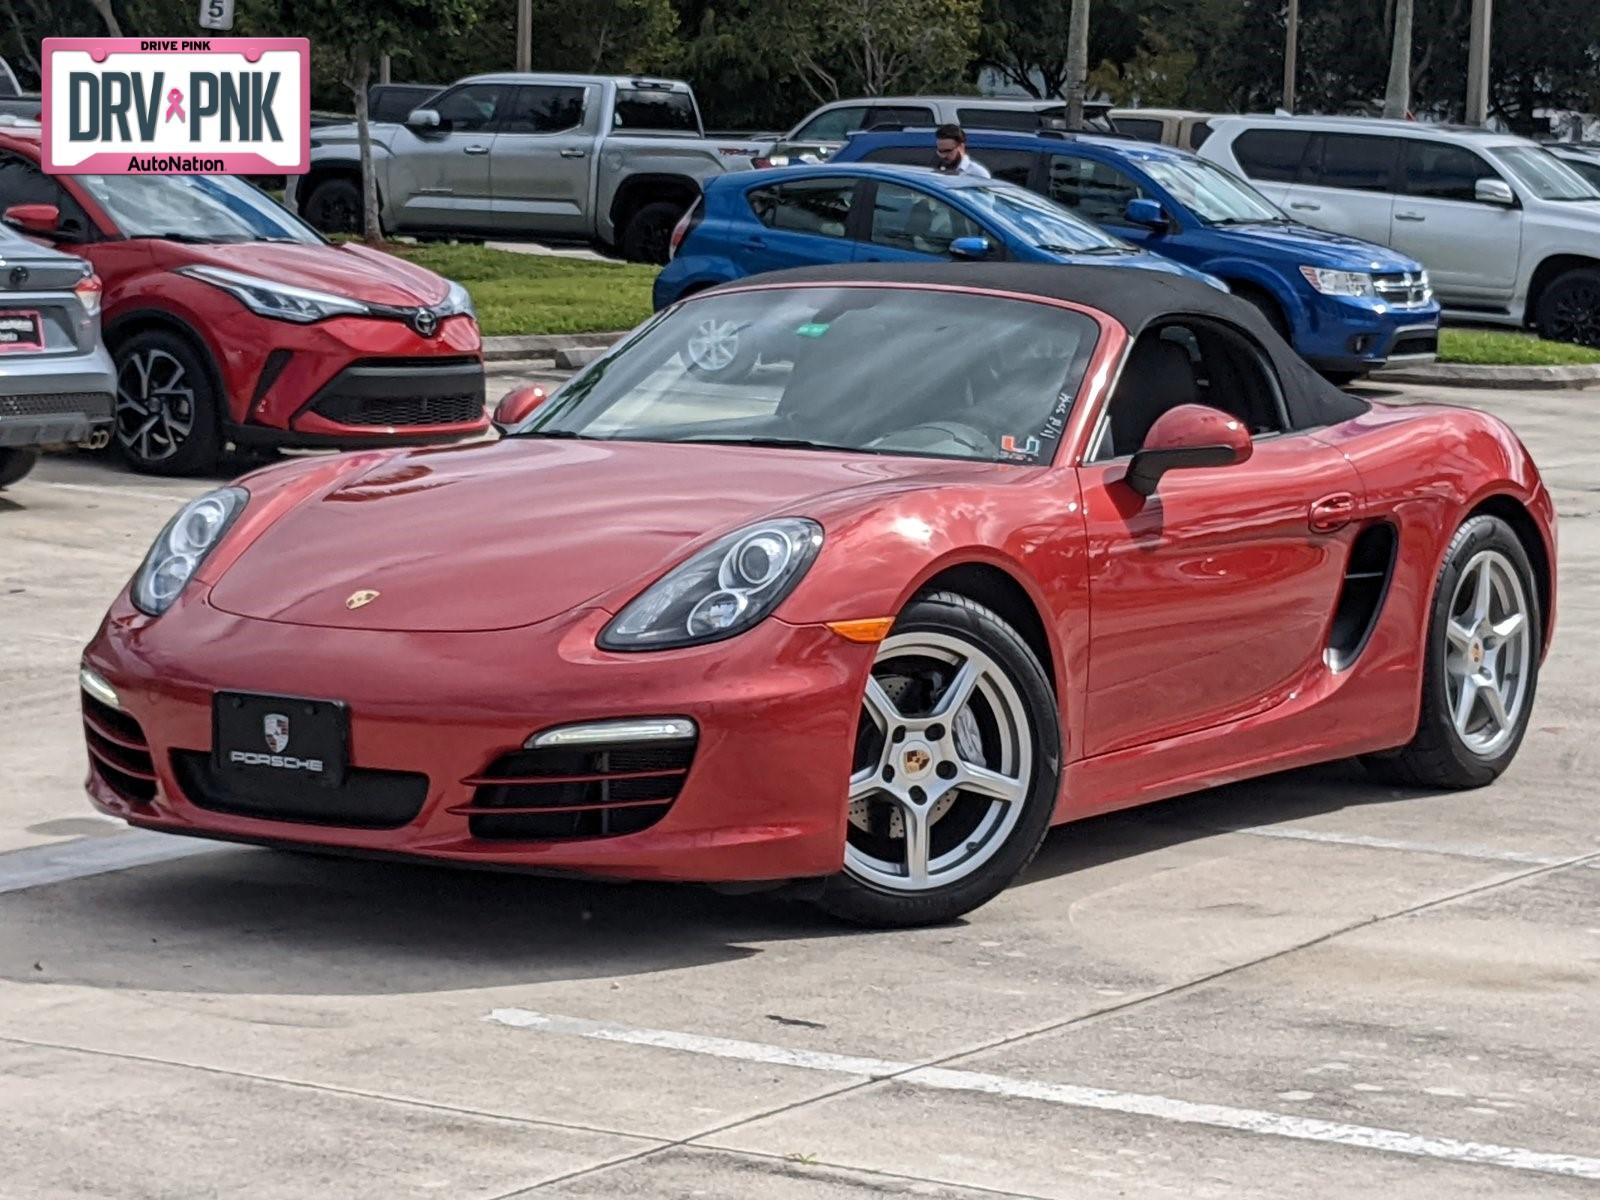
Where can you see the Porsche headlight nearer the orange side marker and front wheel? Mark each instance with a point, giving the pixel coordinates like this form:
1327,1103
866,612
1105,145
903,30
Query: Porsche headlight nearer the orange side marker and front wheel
722,591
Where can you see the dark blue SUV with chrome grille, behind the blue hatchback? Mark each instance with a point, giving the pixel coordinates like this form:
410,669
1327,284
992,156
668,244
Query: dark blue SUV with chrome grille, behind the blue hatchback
1348,306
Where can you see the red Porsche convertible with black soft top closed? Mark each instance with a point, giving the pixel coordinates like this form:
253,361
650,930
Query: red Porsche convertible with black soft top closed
854,580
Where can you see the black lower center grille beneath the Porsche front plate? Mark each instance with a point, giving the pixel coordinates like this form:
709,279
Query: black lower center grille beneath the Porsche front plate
364,801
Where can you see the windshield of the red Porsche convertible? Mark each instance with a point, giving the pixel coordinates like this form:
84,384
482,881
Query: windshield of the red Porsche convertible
876,370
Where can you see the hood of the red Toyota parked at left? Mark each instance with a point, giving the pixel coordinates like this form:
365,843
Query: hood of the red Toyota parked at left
353,271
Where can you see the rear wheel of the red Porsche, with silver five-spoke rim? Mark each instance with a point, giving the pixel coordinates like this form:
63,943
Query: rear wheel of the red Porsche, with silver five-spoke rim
1482,665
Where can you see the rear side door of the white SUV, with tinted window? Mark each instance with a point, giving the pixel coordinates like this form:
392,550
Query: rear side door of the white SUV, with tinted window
1348,185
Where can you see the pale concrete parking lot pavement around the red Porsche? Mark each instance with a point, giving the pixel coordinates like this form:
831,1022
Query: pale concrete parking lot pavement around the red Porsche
1306,985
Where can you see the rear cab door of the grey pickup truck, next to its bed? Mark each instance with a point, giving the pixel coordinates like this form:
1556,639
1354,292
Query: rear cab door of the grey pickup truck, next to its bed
540,161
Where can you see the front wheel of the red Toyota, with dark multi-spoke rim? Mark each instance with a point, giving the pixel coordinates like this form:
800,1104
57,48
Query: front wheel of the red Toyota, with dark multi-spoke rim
167,414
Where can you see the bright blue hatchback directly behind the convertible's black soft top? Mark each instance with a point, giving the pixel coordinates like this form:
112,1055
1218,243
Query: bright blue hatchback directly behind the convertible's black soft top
799,217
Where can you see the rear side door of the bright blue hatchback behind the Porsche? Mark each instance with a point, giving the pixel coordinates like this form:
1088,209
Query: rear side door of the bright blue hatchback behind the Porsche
798,225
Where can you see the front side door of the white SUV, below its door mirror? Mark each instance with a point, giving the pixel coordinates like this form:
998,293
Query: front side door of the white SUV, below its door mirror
1471,249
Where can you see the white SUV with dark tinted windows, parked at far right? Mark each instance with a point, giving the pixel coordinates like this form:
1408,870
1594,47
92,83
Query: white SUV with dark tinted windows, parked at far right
1508,233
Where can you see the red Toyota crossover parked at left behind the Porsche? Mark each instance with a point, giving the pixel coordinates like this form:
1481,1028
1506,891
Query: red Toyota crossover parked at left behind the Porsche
233,321
